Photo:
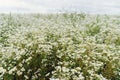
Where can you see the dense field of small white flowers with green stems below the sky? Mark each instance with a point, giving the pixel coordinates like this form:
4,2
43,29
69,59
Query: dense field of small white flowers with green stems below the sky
59,46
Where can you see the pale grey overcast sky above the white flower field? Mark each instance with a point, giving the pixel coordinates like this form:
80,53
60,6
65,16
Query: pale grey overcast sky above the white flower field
49,6
